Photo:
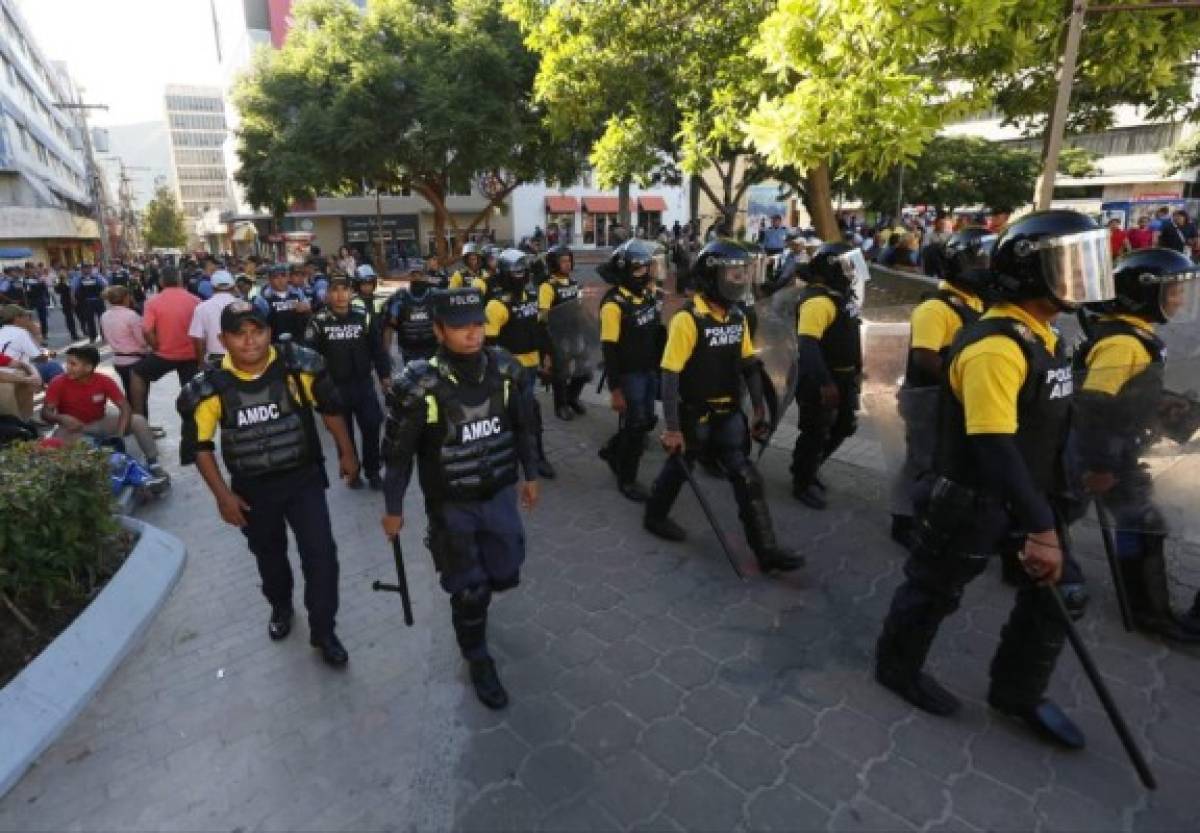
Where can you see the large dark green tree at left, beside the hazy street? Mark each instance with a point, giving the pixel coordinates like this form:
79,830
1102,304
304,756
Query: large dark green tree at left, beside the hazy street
429,95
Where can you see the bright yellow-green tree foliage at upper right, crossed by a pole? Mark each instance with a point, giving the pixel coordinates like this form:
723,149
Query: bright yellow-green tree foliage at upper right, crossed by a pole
872,82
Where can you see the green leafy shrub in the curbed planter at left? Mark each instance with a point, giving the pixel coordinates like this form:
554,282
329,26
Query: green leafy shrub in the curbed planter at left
58,536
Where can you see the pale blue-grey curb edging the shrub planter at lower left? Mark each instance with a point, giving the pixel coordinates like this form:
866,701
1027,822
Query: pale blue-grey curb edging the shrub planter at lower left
44,699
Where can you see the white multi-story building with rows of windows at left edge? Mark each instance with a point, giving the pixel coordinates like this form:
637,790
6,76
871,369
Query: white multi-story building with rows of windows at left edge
49,185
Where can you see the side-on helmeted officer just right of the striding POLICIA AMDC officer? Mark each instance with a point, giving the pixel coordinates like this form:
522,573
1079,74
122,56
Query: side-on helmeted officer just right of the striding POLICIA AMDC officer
831,364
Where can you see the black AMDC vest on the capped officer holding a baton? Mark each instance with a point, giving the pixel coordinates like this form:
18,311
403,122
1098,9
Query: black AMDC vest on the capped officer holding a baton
478,456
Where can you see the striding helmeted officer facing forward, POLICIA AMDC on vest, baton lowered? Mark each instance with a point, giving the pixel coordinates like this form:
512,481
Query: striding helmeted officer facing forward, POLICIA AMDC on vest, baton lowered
707,357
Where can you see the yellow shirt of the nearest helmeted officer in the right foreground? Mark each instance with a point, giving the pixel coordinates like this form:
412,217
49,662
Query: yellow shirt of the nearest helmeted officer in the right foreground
987,377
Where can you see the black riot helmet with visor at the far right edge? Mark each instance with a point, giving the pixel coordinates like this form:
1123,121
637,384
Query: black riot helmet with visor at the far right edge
1159,285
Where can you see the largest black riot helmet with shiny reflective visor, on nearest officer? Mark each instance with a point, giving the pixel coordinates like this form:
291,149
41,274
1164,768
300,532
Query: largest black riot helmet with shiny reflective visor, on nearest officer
1059,255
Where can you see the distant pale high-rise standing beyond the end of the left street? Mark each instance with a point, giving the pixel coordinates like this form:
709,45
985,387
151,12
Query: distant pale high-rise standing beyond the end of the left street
199,133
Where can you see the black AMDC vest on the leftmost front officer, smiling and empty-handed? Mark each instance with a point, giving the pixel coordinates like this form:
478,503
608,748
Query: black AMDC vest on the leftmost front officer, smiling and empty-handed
265,430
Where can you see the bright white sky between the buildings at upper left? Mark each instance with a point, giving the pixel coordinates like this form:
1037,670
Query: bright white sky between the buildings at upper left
125,52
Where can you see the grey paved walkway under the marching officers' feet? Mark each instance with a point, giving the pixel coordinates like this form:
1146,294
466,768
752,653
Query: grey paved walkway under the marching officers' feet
652,690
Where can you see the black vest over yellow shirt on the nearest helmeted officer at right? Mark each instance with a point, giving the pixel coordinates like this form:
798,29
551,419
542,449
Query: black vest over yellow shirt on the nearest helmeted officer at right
1043,409
